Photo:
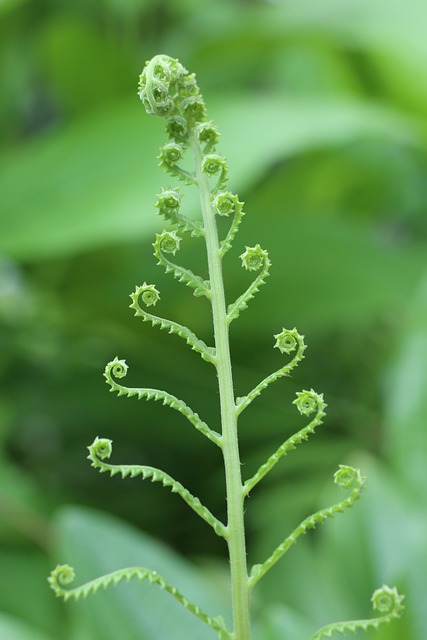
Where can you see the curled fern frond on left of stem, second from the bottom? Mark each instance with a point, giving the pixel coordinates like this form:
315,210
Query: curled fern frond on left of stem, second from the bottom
101,449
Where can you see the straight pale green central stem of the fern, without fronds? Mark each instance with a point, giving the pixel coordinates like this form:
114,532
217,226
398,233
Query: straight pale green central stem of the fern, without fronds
235,496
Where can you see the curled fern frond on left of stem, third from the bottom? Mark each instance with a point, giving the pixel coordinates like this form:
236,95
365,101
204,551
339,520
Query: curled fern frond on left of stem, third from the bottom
118,368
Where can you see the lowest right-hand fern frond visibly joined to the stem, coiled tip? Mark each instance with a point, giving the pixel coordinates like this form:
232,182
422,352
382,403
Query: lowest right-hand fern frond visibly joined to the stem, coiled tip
345,477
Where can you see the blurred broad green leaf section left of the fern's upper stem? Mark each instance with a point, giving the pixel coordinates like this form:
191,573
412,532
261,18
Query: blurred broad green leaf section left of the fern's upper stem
81,187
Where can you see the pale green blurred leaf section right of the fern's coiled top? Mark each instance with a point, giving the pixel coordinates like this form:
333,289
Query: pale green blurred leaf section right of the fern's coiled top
293,126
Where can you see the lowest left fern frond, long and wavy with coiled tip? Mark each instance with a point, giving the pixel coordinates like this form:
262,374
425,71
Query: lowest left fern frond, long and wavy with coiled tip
63,575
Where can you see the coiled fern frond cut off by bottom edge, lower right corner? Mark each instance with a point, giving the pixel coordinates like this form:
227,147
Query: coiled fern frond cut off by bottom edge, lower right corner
386,601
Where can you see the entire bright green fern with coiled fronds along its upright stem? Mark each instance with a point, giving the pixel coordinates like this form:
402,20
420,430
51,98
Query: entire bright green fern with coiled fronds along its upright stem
167,90
